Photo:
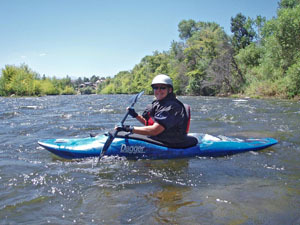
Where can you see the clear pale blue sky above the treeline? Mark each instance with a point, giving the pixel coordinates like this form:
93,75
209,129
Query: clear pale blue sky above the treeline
82,38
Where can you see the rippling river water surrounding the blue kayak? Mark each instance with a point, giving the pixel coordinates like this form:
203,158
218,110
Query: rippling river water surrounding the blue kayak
250,188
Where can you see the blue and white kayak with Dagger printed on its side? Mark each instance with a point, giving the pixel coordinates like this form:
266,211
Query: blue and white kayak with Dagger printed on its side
140,147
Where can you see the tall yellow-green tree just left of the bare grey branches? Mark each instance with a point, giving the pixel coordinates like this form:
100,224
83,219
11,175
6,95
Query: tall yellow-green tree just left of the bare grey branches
202,49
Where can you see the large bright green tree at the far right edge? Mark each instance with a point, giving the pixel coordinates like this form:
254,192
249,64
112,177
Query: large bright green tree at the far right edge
271,66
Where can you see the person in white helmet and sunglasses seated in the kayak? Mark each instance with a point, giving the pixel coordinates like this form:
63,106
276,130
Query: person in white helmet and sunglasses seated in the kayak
166,119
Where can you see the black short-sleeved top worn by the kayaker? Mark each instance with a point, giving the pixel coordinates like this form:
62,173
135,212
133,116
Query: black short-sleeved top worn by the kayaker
169,113
